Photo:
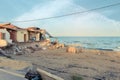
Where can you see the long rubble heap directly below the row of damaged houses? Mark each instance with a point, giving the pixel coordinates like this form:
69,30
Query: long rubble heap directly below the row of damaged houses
27,48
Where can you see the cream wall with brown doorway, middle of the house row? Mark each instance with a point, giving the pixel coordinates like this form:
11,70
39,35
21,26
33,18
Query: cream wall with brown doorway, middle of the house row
20,35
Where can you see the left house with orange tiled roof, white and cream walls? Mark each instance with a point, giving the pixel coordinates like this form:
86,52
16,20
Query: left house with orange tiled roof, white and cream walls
17,34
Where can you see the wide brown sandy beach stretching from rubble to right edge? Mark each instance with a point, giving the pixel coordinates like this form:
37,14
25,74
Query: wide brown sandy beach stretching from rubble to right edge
90,64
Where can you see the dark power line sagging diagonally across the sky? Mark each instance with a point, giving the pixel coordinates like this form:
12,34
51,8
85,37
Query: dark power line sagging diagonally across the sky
94,9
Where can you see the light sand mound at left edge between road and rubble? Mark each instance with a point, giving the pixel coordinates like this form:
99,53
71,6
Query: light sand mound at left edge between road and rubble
13,64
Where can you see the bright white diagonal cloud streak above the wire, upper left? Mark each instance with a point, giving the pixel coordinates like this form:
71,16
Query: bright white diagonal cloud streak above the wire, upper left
48,10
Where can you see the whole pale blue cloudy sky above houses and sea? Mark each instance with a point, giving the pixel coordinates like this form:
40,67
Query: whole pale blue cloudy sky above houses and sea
104,22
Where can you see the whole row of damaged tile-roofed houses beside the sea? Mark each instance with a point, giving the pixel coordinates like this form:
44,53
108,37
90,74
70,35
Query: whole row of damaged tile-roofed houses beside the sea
12,33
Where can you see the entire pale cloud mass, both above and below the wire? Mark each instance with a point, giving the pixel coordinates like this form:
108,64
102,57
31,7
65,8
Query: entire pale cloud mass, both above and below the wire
86,24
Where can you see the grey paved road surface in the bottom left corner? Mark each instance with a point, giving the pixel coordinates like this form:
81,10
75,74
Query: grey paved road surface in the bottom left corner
6,76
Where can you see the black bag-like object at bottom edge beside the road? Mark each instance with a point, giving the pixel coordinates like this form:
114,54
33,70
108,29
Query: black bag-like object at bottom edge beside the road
33,75
